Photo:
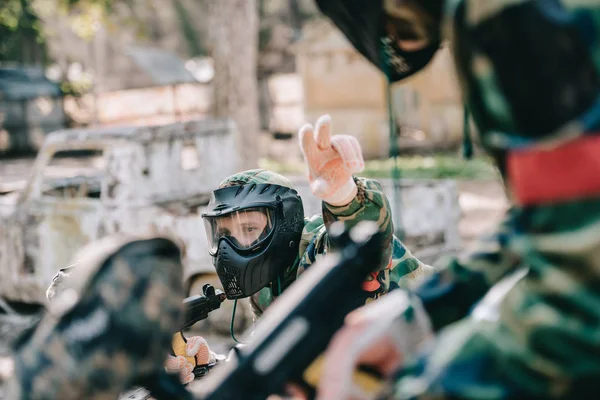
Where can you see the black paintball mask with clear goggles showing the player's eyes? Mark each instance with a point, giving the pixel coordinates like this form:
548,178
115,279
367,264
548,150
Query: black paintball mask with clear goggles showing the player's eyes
254,231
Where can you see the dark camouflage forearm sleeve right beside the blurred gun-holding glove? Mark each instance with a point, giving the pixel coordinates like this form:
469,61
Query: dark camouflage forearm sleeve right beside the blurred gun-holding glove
450,294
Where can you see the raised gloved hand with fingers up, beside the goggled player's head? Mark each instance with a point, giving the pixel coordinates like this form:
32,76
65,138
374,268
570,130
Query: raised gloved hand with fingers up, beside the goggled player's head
331,162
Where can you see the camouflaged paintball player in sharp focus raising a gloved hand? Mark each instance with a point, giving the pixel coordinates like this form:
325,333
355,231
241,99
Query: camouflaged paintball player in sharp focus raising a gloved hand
260,240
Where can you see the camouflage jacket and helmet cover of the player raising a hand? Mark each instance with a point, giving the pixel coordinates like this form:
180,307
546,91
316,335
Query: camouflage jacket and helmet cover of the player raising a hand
400,269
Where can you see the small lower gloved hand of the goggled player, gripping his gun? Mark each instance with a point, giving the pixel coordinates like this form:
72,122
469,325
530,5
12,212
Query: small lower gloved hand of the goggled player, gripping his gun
189,353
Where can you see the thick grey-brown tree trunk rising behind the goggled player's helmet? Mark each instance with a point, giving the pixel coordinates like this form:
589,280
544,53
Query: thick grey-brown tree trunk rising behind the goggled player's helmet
234,45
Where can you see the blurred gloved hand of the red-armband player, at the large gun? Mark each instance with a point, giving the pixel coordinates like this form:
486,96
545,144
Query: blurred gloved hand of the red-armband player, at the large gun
379,335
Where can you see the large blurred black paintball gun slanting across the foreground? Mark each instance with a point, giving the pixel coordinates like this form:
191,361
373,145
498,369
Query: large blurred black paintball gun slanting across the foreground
296,330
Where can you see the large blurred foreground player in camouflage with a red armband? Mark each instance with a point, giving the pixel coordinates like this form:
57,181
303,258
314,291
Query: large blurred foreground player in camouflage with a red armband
530,74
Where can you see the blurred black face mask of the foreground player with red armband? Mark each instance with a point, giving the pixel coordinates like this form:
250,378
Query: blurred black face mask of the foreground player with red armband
375,33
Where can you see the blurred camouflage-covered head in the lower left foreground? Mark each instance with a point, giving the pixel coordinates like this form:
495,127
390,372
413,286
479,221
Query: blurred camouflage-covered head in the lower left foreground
109,328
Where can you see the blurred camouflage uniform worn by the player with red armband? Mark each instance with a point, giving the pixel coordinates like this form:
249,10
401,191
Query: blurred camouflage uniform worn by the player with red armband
530,72
